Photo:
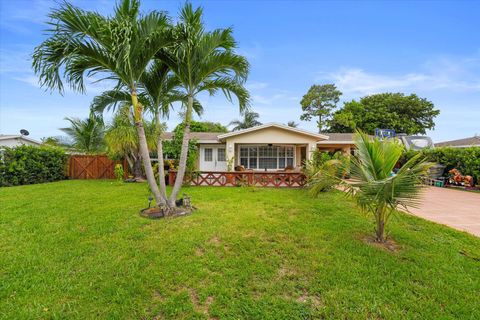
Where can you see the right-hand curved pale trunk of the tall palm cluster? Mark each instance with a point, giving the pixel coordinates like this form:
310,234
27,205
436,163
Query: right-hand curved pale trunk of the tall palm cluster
182,166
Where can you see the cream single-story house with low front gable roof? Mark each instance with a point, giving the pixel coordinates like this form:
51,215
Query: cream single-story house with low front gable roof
267,147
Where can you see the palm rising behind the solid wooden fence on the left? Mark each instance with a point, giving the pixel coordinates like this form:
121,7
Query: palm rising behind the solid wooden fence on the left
86,135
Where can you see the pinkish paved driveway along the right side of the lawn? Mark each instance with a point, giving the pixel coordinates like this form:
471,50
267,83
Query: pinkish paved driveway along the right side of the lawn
455,208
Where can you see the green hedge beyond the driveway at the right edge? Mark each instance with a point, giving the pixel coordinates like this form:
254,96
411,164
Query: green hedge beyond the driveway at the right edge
466,160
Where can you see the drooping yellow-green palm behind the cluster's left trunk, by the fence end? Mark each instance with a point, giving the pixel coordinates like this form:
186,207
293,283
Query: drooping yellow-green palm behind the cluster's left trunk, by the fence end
122,139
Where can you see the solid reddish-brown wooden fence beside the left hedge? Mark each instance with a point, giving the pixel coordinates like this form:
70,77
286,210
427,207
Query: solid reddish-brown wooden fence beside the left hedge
93,167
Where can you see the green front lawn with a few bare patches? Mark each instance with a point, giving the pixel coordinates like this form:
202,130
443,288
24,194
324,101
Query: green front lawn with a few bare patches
79,250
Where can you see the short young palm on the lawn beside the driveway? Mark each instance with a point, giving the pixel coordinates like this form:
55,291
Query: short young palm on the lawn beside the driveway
375,189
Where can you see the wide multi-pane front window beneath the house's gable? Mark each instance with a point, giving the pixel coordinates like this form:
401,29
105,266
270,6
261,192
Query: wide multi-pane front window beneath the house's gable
266,157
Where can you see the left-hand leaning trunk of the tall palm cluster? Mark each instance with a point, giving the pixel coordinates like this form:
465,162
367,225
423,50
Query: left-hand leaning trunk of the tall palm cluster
147,164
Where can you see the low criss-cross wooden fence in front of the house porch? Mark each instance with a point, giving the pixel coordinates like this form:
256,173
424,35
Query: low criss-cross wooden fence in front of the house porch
244,178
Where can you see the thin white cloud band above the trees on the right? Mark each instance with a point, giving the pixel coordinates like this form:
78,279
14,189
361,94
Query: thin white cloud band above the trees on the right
455,74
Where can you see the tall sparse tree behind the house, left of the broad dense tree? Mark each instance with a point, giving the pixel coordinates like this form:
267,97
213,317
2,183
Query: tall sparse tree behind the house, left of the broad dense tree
318,102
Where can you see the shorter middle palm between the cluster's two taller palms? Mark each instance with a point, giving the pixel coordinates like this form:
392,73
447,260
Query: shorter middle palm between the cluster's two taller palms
158,93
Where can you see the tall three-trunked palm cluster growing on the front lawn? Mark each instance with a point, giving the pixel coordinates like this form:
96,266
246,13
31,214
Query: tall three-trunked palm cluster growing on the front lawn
149,60
